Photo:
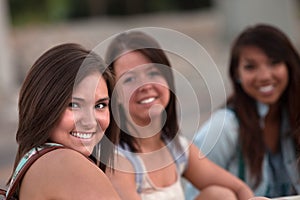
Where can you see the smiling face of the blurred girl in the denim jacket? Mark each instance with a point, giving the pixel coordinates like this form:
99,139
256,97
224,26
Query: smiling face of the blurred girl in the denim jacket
262,78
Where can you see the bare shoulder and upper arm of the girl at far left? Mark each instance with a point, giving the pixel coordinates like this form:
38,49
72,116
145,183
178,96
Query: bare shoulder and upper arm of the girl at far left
66,174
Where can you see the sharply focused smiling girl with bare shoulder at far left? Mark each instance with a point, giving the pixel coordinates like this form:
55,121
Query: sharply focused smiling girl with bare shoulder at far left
65,101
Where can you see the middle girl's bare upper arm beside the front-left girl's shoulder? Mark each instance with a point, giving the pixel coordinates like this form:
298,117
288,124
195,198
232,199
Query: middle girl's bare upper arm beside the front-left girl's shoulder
123,178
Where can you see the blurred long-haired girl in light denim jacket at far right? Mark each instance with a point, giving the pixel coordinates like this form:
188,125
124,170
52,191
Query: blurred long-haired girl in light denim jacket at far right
259,127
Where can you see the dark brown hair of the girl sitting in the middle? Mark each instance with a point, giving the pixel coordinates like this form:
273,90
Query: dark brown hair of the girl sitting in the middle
149,47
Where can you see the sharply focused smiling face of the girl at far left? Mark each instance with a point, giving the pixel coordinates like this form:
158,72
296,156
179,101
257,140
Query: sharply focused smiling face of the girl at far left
84,121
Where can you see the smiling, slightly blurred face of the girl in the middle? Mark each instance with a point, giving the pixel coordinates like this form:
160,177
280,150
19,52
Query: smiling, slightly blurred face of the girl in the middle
144,90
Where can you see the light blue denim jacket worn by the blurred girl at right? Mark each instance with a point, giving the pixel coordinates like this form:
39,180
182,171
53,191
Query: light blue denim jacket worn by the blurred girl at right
218,140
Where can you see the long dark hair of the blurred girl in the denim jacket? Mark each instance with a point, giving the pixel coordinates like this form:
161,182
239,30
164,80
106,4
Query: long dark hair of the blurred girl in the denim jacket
276,45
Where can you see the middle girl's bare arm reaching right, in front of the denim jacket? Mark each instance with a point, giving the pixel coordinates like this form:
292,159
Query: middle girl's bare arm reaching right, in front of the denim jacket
203,173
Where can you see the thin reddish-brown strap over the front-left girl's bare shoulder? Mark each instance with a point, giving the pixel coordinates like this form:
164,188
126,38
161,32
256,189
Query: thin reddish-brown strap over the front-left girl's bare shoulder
24,169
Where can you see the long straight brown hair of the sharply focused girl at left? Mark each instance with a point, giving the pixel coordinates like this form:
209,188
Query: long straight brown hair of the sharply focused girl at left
47,90
